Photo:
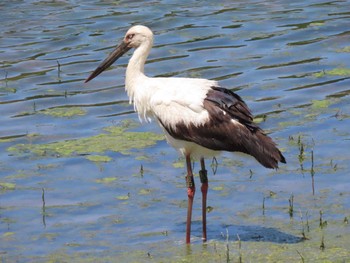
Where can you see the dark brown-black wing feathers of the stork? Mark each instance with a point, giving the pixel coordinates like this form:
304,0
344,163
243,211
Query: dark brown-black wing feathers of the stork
230,128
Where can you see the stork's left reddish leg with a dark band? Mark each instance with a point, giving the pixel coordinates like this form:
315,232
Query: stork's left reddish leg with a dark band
190,193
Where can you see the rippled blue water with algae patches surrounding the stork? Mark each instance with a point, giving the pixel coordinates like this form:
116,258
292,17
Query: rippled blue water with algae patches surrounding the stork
80,179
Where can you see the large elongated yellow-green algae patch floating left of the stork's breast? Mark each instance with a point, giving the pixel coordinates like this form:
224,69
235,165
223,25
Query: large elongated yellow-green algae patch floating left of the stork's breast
115,139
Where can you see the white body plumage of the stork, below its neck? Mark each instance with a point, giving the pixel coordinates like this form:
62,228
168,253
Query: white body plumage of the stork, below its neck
171,101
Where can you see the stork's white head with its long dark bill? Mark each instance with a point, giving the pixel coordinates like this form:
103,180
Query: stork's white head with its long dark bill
134,38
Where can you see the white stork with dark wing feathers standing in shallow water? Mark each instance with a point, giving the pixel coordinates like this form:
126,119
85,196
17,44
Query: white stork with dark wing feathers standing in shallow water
198,116
